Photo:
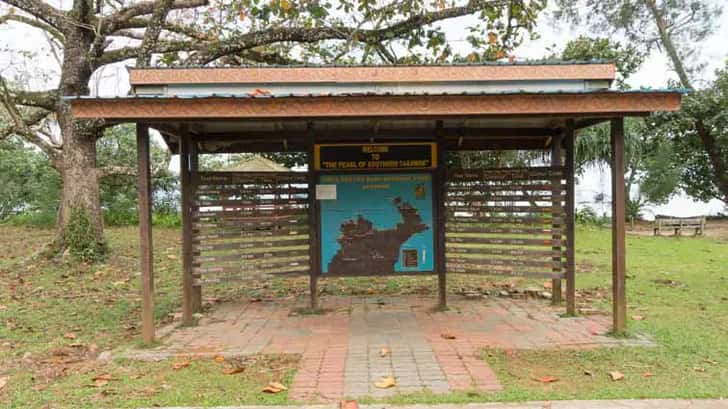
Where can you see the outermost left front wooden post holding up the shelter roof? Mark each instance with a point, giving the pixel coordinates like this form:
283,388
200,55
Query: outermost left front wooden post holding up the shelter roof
144,188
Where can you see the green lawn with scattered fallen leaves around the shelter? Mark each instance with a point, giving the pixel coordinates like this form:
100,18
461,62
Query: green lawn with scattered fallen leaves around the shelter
56,316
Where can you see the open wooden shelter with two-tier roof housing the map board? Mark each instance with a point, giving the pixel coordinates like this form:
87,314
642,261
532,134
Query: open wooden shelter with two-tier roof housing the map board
379,196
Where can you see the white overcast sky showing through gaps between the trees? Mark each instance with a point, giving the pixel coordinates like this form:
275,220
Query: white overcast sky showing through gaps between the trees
654,73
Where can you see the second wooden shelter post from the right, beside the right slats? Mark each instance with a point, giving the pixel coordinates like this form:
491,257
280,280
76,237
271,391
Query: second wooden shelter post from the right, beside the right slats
569,216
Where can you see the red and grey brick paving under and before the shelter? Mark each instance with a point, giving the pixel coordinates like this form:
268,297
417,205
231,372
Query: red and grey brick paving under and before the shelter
340,350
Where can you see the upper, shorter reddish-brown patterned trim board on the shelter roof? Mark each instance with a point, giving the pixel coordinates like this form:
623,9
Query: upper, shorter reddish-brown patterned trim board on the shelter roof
372,74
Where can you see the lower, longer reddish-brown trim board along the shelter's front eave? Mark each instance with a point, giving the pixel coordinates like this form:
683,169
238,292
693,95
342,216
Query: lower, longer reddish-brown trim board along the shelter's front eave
594,103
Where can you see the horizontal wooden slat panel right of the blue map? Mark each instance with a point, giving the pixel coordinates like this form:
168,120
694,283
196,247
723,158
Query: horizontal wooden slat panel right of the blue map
538,190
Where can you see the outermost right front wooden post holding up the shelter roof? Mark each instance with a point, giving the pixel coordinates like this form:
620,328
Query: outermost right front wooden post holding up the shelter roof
619,301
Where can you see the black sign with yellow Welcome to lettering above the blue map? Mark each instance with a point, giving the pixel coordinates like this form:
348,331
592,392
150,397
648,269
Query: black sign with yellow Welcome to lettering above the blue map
375,156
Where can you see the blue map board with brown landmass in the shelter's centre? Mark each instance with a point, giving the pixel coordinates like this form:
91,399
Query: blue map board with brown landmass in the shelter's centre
377,224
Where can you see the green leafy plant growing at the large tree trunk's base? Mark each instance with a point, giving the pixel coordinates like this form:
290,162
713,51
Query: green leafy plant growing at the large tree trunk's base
80,237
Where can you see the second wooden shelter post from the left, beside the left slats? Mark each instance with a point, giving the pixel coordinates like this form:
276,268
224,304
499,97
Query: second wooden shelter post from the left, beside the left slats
186,208
